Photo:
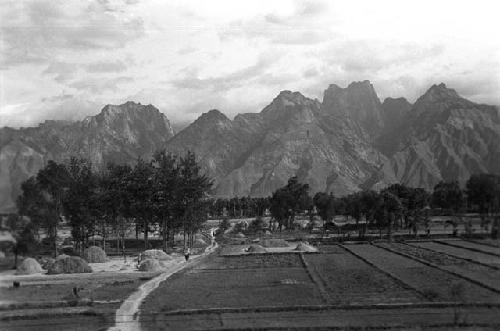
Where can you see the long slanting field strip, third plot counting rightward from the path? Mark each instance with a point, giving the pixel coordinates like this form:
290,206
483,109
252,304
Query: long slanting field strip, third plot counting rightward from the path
436,284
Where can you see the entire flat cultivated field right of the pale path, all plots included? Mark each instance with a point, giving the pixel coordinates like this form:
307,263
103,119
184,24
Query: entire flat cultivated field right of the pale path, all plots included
343,286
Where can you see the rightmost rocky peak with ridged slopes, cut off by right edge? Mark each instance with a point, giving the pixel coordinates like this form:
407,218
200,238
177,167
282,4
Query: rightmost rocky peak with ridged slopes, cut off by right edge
446,137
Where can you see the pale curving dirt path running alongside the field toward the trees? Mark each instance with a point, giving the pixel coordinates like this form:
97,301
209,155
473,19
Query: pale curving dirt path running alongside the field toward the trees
127,316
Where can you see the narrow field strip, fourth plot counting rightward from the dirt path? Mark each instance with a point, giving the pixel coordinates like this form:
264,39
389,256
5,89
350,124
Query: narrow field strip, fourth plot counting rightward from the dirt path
483,274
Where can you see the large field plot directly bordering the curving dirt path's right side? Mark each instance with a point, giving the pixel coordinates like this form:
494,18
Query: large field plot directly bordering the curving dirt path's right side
242,285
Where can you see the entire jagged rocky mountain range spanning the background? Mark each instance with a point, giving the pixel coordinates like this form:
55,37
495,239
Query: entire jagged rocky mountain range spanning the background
347,142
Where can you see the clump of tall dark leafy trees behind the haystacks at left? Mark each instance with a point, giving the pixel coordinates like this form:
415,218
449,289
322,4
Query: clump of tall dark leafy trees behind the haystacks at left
167,192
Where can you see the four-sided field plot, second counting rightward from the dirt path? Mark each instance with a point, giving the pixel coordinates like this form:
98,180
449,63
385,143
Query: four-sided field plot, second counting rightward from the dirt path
349,280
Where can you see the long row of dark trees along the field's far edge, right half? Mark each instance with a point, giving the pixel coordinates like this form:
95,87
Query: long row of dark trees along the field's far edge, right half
395,206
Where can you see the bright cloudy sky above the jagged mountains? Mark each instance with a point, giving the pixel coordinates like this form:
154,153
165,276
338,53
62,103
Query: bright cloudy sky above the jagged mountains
66,59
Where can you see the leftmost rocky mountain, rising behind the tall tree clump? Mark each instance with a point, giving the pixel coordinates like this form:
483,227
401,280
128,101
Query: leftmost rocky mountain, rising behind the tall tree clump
119,133
